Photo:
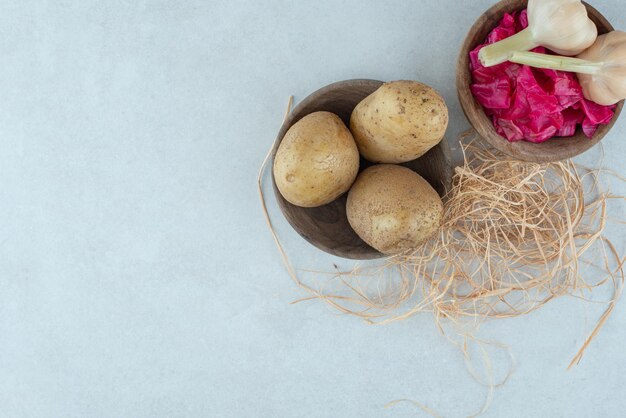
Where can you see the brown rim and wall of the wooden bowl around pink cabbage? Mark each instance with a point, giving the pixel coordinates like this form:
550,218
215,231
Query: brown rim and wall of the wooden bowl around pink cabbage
523,150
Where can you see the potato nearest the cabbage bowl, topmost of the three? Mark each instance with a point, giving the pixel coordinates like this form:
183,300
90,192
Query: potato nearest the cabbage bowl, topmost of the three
399,122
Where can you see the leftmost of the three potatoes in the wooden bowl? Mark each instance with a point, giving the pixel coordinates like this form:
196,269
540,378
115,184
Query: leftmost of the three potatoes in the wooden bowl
317,160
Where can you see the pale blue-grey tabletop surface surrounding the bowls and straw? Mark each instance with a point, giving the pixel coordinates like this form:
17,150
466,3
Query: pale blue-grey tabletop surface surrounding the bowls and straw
137,276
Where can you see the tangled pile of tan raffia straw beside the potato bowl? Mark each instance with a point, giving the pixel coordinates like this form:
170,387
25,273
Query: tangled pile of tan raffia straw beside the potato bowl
515,236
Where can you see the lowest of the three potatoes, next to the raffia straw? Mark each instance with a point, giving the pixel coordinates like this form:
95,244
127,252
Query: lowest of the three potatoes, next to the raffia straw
393,209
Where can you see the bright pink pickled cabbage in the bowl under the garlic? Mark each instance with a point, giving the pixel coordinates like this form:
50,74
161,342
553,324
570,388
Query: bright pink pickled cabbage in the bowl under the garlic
532,104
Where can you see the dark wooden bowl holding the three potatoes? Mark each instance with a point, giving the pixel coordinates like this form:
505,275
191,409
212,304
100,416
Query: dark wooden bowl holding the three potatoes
327,227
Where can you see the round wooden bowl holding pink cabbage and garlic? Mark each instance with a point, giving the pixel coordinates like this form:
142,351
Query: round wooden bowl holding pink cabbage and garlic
554,149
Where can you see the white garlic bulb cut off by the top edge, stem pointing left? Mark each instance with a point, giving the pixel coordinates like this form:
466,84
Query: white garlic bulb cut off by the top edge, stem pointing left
560,25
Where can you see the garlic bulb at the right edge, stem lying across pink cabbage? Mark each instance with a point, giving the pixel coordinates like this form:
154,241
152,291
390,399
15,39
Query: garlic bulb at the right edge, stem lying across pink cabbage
601,68
